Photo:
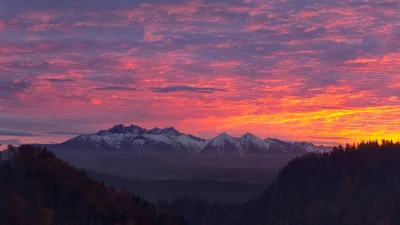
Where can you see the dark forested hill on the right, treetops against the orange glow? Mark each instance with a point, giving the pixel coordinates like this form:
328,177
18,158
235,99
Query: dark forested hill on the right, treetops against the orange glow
358,184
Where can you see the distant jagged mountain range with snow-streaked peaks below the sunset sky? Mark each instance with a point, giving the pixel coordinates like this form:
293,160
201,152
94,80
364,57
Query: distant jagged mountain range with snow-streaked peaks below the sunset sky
169,140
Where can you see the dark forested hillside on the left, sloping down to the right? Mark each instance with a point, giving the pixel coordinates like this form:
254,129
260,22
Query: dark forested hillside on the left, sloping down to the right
36,188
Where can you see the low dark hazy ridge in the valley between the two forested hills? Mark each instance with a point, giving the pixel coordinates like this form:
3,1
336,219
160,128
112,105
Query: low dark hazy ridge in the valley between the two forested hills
206,189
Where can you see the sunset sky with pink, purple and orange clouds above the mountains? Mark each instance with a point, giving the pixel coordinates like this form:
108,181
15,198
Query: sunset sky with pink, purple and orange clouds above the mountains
326,71
